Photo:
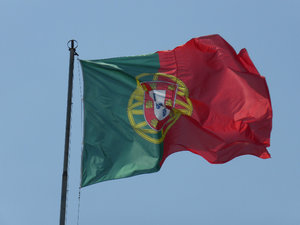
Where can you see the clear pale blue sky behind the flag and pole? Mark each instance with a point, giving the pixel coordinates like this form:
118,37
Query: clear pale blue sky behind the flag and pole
188,190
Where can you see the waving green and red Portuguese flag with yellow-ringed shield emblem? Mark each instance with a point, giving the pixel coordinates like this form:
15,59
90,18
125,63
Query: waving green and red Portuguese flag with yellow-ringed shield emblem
200,97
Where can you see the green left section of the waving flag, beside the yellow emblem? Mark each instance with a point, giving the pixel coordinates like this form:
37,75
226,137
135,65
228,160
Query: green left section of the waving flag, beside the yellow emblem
112,148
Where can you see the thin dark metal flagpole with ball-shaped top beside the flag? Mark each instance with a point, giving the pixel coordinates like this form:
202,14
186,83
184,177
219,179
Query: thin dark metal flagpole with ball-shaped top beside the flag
64,185
